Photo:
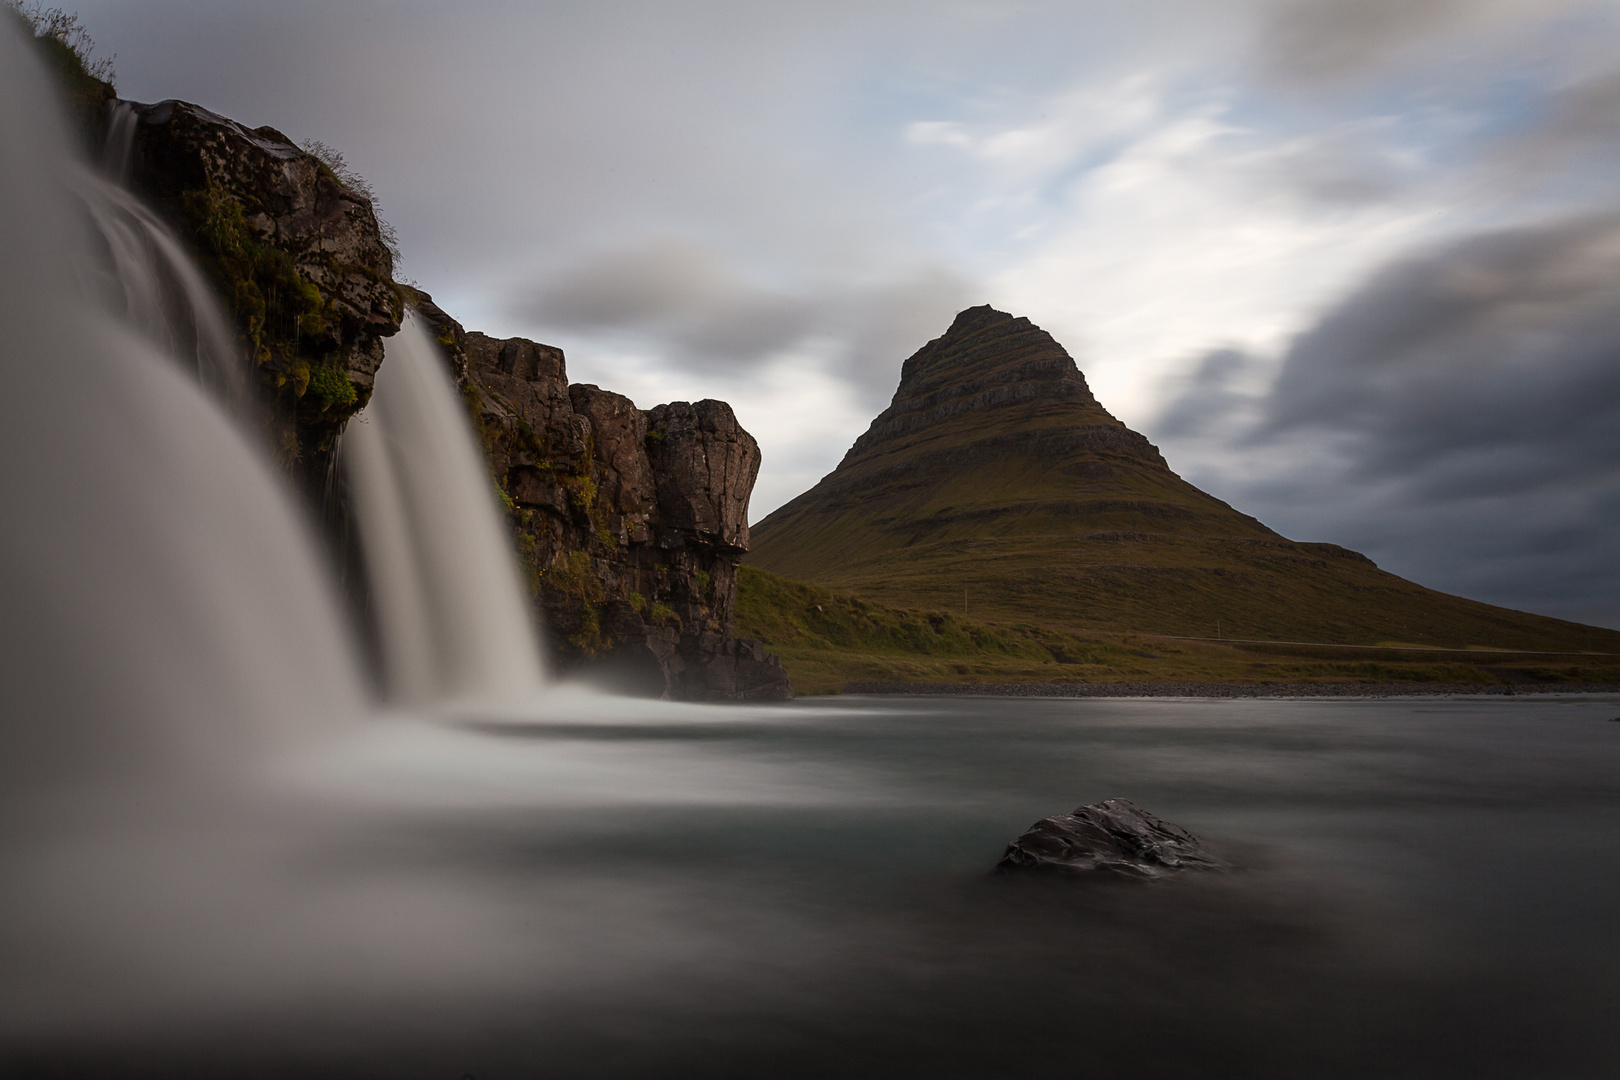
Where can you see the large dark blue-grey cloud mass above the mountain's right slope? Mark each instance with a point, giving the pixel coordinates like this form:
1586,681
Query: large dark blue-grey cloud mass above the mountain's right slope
1457,417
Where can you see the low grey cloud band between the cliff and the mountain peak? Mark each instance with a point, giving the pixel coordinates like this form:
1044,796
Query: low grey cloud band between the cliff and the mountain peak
688,304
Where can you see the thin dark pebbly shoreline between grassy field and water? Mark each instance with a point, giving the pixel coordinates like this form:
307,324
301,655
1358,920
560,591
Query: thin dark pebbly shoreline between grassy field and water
1221,691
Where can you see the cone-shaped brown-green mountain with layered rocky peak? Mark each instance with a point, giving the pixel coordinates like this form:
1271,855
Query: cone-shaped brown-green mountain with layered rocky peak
999,485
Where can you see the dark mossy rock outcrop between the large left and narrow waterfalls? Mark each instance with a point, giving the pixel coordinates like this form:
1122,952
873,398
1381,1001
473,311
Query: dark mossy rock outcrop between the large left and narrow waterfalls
299,258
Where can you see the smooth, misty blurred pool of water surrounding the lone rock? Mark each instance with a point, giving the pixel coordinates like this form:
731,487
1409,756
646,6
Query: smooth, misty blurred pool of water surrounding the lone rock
649,890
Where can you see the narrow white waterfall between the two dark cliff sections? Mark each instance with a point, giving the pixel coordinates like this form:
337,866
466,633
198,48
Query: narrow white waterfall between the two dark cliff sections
453,623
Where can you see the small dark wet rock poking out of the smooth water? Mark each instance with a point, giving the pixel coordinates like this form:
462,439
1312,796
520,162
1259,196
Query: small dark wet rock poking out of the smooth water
1111,838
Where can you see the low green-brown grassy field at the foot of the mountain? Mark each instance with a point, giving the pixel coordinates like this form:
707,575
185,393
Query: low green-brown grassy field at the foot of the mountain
829,639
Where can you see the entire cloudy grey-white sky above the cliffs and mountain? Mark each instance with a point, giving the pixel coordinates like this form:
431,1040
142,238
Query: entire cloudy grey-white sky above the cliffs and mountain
1354,265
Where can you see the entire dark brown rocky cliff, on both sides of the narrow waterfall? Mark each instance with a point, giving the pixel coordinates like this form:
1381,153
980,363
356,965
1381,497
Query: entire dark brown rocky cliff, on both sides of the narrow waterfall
629,524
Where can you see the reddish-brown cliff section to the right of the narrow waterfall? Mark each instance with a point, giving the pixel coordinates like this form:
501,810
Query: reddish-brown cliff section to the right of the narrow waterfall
631,524
